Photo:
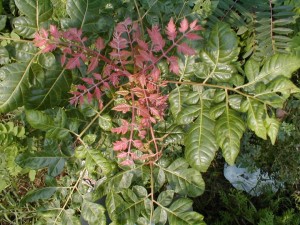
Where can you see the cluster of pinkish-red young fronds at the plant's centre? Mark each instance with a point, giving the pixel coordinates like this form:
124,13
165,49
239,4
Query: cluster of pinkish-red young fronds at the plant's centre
134,59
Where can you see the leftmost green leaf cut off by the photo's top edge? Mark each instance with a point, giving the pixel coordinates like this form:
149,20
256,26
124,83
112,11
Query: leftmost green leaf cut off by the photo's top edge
36,10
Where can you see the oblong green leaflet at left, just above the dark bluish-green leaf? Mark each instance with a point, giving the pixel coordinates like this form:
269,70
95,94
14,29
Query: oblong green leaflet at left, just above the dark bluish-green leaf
42,121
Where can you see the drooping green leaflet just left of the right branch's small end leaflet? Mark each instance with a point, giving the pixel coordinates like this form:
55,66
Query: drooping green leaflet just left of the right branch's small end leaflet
255,118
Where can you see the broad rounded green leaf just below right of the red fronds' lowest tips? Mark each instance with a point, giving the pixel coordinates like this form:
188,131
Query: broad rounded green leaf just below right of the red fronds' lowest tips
184,180
